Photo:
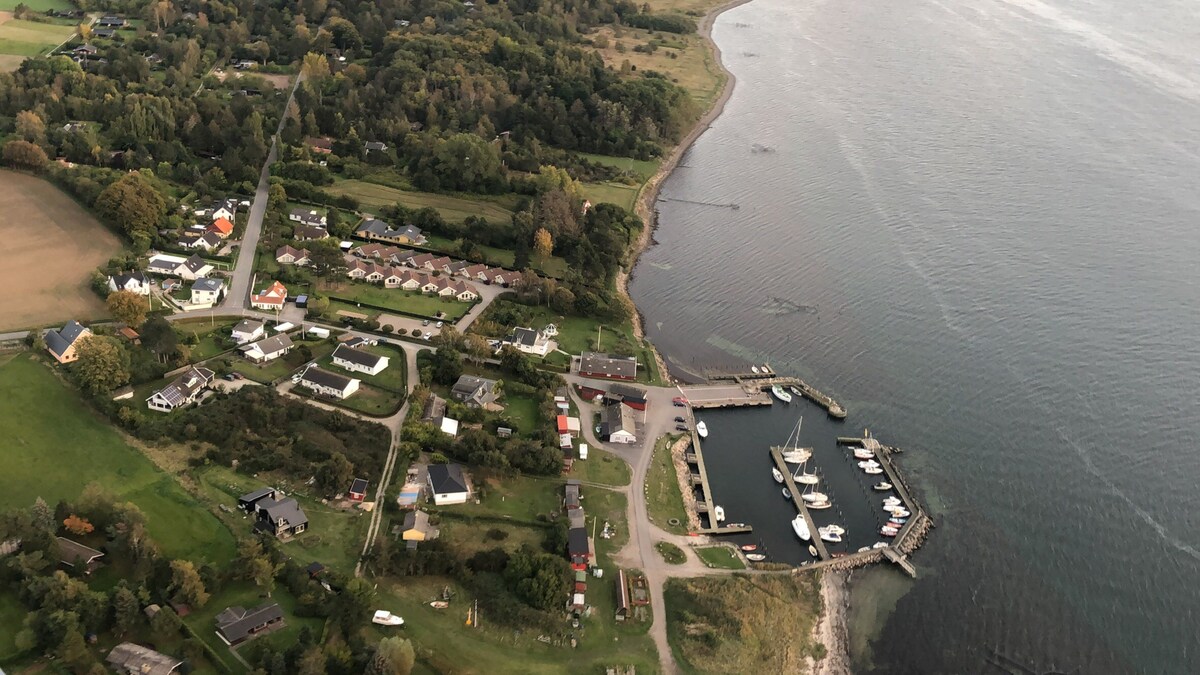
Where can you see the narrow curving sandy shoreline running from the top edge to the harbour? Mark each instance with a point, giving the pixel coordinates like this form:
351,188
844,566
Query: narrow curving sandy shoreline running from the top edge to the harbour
650,193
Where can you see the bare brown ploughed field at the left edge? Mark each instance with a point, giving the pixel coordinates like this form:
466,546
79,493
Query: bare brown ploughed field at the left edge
43,225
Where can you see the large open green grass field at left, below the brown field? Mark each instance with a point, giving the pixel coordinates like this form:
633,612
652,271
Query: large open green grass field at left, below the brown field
56,446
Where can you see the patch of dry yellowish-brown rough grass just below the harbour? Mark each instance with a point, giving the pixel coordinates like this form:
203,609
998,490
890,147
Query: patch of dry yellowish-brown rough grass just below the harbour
722,624
